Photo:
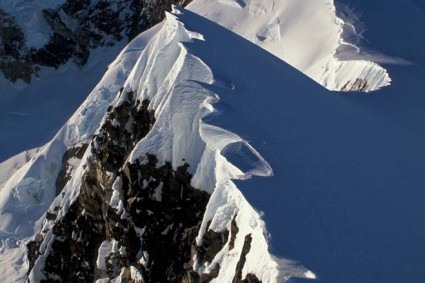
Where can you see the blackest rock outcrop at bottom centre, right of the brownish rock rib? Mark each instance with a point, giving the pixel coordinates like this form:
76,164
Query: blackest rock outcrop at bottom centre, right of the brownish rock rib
170,212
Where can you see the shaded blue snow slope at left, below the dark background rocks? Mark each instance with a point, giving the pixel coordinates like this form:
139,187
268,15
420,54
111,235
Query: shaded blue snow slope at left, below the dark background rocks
56,95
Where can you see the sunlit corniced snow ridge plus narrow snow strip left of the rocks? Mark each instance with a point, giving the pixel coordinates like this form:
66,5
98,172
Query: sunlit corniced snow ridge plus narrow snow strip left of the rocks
174,81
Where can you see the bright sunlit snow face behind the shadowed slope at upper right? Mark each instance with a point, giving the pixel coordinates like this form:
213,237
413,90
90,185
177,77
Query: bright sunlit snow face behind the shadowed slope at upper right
306,34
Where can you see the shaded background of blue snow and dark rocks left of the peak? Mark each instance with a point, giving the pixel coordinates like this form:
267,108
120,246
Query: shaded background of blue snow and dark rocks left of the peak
46,47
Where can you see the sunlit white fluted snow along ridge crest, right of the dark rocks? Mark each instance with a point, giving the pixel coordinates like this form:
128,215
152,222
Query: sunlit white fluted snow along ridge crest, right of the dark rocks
179,134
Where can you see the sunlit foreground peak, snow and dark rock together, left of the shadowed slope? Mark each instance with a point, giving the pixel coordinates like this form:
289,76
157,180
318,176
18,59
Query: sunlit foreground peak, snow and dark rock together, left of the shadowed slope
184,167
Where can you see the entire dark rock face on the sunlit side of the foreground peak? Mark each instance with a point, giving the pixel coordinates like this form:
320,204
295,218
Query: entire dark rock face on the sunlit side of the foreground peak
149,213
